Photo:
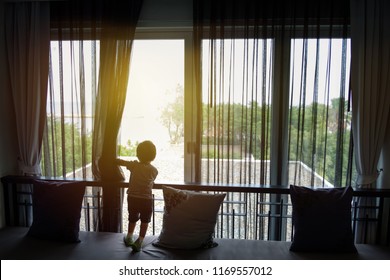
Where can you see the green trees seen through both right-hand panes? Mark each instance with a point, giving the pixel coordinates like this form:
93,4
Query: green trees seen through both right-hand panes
319,135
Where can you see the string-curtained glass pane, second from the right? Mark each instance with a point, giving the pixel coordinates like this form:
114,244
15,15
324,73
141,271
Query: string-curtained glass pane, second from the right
236,110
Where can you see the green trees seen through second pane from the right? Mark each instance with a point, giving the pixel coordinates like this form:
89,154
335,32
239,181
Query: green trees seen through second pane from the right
244,129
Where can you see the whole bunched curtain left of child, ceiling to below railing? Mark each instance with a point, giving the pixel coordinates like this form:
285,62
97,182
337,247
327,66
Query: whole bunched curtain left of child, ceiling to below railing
115,53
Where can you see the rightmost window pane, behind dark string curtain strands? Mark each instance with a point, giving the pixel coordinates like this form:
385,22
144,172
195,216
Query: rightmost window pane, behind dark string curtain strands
320,119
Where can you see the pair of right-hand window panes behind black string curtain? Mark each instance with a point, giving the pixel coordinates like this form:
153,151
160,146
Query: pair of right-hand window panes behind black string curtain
241,111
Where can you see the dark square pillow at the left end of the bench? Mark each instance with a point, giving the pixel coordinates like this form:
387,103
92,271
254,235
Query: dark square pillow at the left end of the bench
57,210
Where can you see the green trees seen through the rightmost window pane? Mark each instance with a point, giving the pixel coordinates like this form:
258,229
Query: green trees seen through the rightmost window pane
320,138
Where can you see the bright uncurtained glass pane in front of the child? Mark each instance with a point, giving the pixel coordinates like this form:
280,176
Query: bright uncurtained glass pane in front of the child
154,107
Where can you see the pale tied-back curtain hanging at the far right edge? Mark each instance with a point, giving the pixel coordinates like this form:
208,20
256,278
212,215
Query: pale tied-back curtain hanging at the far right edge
370,74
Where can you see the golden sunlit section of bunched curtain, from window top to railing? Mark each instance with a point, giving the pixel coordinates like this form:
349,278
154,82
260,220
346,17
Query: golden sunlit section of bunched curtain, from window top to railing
111,96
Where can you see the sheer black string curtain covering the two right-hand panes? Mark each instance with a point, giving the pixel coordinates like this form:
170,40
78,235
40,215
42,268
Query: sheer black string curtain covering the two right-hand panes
272,108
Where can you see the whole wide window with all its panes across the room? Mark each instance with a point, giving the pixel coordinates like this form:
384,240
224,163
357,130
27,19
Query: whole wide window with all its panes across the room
243,107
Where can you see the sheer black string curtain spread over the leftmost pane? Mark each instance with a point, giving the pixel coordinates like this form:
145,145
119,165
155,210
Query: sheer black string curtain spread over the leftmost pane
73,69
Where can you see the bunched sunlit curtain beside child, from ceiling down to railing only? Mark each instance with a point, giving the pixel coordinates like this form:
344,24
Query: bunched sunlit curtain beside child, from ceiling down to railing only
115,53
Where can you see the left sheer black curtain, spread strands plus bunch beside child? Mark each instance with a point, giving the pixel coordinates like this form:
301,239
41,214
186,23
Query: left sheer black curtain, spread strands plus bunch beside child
89,67
